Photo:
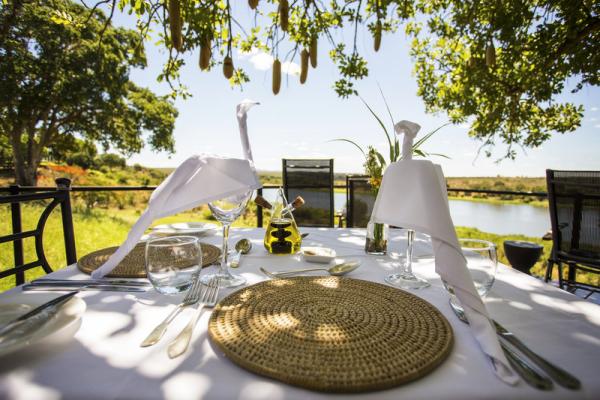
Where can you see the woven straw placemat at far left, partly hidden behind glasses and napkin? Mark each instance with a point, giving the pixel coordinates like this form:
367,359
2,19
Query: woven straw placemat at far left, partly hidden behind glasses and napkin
132,265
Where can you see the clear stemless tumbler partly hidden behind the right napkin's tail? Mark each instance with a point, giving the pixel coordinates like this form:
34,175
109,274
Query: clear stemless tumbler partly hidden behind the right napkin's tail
482,263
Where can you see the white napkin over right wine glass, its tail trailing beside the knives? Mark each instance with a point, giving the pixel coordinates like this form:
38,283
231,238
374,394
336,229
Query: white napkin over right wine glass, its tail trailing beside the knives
413,195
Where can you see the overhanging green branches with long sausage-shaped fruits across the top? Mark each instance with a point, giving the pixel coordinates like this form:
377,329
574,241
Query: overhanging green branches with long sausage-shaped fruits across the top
497,64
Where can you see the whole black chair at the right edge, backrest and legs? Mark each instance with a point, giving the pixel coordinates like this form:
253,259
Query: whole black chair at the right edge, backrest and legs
574,200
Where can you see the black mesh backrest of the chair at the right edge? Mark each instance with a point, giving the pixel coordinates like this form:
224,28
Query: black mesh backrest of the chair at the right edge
574,201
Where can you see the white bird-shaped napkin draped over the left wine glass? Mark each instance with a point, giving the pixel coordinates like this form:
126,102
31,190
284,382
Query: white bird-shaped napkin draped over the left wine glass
198,180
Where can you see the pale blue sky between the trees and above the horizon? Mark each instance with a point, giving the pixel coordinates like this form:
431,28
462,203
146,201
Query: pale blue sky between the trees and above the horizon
302,119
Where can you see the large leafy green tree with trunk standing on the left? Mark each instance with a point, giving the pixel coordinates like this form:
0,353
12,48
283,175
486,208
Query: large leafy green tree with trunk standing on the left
64,74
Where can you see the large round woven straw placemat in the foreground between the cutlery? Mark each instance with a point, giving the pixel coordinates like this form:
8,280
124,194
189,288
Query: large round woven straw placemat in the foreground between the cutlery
331,334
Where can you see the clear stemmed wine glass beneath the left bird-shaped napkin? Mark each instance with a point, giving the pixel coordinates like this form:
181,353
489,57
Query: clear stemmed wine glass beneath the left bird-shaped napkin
226,211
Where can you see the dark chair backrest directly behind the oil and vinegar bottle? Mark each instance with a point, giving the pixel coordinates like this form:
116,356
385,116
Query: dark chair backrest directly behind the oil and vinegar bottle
313,180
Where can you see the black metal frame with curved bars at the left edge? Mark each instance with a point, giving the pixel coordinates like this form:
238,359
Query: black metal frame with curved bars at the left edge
18,195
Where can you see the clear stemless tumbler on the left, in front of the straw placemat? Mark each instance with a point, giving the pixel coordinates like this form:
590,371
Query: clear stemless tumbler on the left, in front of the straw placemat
172,263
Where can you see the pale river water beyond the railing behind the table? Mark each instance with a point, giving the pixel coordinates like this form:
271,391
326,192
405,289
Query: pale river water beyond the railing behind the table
501,219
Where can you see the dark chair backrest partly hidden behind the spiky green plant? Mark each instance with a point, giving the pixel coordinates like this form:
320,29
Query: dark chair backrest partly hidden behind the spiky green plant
360,199
